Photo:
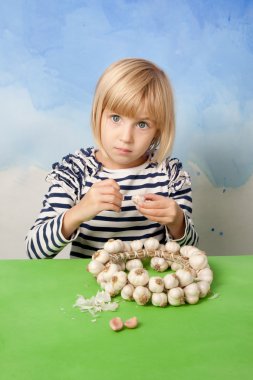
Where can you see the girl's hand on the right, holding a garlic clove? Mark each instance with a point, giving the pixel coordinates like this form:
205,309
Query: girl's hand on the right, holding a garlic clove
165,211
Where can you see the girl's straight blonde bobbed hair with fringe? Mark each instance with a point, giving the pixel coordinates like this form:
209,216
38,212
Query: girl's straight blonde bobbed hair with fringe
130,84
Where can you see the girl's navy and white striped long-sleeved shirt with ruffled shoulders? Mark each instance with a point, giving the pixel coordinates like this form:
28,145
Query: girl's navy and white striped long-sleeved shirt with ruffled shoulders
73,177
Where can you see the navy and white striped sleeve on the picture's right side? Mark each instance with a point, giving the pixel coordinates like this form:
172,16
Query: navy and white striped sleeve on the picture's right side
180,190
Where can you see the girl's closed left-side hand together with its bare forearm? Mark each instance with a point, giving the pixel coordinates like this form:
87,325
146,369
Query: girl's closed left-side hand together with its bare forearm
102,196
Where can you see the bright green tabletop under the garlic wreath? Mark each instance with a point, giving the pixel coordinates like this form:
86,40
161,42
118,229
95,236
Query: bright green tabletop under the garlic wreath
43,337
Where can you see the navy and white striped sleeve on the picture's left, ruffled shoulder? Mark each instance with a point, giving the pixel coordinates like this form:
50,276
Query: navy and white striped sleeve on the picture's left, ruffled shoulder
45,239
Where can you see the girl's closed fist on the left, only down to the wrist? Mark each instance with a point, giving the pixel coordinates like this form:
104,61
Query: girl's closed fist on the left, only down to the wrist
102,196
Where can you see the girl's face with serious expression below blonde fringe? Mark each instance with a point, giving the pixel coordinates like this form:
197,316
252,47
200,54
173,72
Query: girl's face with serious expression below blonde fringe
125,140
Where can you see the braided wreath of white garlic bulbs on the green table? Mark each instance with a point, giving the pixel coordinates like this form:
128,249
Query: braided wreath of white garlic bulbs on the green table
119,269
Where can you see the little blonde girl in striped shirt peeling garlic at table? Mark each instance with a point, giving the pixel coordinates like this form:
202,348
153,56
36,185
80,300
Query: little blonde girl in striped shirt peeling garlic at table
90,198
